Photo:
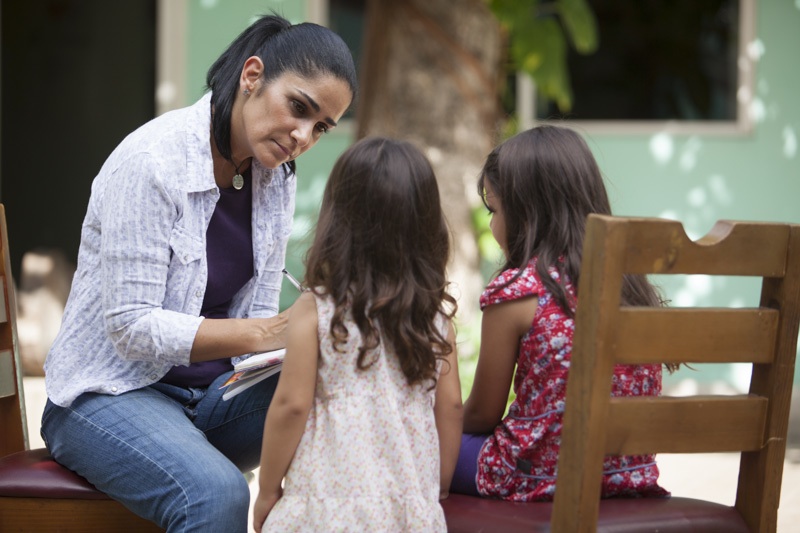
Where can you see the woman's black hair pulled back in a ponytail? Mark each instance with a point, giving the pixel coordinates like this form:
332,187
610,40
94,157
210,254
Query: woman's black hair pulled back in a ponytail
307,49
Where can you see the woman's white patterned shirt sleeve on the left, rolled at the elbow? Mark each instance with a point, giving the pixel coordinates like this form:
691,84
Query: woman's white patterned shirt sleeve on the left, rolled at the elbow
140,229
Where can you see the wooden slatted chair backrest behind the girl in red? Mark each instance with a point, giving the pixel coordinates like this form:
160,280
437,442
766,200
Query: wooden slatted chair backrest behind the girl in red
606,334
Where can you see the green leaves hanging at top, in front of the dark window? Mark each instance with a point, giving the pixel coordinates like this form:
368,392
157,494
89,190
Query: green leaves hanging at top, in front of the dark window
539,31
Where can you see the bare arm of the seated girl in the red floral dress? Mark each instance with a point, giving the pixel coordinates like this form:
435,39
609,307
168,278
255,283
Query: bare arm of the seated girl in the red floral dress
502,327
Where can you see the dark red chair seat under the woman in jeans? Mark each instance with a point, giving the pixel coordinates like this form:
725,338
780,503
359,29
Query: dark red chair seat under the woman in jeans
34,474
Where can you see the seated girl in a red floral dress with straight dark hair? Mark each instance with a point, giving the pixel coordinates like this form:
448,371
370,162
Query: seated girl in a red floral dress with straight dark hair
539,187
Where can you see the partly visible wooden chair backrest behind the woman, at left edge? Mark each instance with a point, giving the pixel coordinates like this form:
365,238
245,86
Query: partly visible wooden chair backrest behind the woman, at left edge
13,424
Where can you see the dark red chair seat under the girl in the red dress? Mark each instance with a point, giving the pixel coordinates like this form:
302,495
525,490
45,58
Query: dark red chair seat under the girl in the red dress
469,514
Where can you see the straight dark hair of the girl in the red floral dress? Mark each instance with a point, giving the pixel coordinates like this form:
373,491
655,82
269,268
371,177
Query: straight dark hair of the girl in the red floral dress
548,182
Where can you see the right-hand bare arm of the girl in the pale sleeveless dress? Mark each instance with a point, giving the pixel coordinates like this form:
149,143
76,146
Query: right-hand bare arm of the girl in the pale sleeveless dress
449,413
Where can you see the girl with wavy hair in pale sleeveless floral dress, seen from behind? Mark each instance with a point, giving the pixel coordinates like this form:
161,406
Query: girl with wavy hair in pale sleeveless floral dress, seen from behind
365,425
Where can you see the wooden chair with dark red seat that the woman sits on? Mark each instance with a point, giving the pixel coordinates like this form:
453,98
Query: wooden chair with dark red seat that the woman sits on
36,493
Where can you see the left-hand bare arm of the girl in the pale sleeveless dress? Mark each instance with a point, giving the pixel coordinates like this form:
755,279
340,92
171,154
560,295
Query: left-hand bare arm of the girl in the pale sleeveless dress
288,412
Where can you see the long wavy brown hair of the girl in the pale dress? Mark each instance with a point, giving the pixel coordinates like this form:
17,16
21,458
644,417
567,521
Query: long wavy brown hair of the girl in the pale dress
381,249
